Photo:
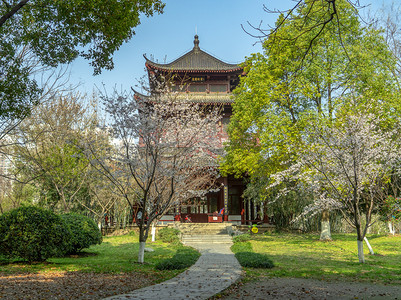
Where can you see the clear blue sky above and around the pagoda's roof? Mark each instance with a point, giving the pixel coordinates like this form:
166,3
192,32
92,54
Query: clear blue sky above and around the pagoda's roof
170,35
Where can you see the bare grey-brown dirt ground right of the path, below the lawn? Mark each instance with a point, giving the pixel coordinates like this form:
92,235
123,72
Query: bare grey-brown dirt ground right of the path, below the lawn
298,288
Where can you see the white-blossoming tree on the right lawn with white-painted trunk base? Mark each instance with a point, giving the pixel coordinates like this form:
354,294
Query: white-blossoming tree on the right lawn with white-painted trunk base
347,164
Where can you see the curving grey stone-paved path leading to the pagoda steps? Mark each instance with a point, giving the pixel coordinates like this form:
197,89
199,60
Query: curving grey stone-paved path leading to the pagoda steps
216,269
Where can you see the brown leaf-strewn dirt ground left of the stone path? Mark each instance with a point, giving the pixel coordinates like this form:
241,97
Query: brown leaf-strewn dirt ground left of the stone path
68,285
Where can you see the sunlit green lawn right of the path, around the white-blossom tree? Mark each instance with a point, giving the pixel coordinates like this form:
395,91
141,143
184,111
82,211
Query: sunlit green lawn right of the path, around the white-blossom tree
303,255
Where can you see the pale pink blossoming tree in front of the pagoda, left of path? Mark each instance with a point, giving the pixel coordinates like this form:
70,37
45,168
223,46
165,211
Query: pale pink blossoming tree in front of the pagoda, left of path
165,152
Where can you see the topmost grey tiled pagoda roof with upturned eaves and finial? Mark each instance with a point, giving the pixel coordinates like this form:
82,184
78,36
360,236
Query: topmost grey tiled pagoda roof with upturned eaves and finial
195,60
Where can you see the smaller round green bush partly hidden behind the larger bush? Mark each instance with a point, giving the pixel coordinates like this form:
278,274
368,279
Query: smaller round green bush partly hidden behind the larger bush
84,232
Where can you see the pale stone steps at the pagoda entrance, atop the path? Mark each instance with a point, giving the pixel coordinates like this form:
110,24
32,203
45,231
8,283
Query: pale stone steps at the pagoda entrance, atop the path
205,233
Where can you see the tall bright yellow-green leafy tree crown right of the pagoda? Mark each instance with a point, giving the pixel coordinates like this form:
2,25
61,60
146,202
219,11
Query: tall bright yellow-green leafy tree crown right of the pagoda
297,74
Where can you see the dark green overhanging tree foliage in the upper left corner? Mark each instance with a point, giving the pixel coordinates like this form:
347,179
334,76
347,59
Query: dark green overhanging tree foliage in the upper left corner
57,32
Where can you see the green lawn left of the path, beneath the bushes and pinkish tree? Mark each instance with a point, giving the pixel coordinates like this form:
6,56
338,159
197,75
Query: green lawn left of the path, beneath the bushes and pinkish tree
115,255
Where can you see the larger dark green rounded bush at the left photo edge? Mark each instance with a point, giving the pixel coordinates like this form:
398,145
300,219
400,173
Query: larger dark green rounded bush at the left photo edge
33,234
